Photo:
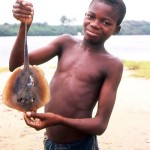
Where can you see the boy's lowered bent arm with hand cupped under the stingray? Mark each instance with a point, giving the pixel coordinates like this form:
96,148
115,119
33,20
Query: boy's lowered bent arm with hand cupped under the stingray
96,125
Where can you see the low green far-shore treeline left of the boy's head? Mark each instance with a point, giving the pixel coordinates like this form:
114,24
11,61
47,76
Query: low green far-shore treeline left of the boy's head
40,29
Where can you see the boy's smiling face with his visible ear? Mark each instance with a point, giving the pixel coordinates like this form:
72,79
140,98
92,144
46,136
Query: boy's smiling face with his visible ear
100,22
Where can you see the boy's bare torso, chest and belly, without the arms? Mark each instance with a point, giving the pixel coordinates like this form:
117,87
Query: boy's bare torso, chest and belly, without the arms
75,89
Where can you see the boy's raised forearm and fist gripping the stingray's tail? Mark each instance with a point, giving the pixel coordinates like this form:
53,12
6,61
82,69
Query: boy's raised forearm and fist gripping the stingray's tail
22,11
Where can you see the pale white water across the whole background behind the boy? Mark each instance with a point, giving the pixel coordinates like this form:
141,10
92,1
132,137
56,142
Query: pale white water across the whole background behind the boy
124,47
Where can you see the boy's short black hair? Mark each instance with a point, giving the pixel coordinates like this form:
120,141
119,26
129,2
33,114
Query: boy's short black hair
119,6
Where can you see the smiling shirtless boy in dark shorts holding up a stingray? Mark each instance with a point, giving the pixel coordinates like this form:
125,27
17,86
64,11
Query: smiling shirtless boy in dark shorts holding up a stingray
86,74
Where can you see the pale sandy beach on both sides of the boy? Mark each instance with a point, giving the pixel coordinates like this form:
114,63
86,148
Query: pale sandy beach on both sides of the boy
128,129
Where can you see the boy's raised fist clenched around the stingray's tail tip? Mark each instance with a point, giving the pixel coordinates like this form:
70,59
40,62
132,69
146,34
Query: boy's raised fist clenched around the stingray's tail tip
23,11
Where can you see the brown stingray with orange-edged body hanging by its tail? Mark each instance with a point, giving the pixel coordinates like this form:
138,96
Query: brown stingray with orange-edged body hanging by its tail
26,89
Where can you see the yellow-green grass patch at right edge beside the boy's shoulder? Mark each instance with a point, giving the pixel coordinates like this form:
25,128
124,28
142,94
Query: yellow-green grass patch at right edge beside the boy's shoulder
138,68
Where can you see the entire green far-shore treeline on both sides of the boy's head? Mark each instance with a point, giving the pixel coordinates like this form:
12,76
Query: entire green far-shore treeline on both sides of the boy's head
43,29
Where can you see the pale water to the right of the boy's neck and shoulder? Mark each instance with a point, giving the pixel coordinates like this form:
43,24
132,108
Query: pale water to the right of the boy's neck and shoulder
130,47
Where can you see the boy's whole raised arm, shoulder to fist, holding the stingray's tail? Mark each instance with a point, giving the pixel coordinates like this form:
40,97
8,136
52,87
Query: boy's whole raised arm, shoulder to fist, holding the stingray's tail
38,56
